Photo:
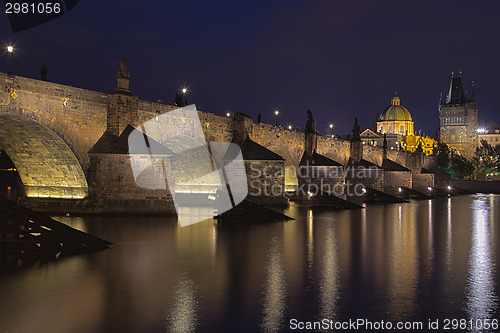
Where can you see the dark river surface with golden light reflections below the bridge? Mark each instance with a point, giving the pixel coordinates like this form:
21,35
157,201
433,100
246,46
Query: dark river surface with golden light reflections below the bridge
419,261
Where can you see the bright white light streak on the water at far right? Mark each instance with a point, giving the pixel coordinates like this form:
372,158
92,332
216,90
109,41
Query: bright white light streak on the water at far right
481,299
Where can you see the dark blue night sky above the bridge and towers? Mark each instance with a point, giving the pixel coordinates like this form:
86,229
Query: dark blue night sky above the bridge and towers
338,58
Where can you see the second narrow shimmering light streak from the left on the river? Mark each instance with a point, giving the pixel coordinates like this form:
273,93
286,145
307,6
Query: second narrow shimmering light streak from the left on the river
274,290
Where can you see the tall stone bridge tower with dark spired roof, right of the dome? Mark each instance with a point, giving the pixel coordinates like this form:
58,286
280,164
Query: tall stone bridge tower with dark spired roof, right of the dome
458,116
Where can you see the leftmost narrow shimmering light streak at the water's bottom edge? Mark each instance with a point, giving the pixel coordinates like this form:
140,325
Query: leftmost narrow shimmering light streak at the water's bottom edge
184,313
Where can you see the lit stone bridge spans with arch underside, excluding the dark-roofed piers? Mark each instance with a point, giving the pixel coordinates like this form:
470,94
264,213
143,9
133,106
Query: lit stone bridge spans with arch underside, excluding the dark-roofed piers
47,130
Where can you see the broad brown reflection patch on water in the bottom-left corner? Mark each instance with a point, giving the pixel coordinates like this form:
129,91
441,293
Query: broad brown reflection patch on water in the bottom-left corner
54,298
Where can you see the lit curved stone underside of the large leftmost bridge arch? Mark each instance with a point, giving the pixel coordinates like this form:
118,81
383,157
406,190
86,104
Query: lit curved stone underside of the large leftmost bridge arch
45,163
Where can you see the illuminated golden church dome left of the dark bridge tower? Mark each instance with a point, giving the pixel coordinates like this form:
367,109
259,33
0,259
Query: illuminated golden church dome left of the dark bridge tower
395,119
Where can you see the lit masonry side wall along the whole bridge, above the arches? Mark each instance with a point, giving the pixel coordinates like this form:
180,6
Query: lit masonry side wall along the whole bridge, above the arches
82,122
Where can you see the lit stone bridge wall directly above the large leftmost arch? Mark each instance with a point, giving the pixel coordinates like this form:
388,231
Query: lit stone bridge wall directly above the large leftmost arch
79,124
